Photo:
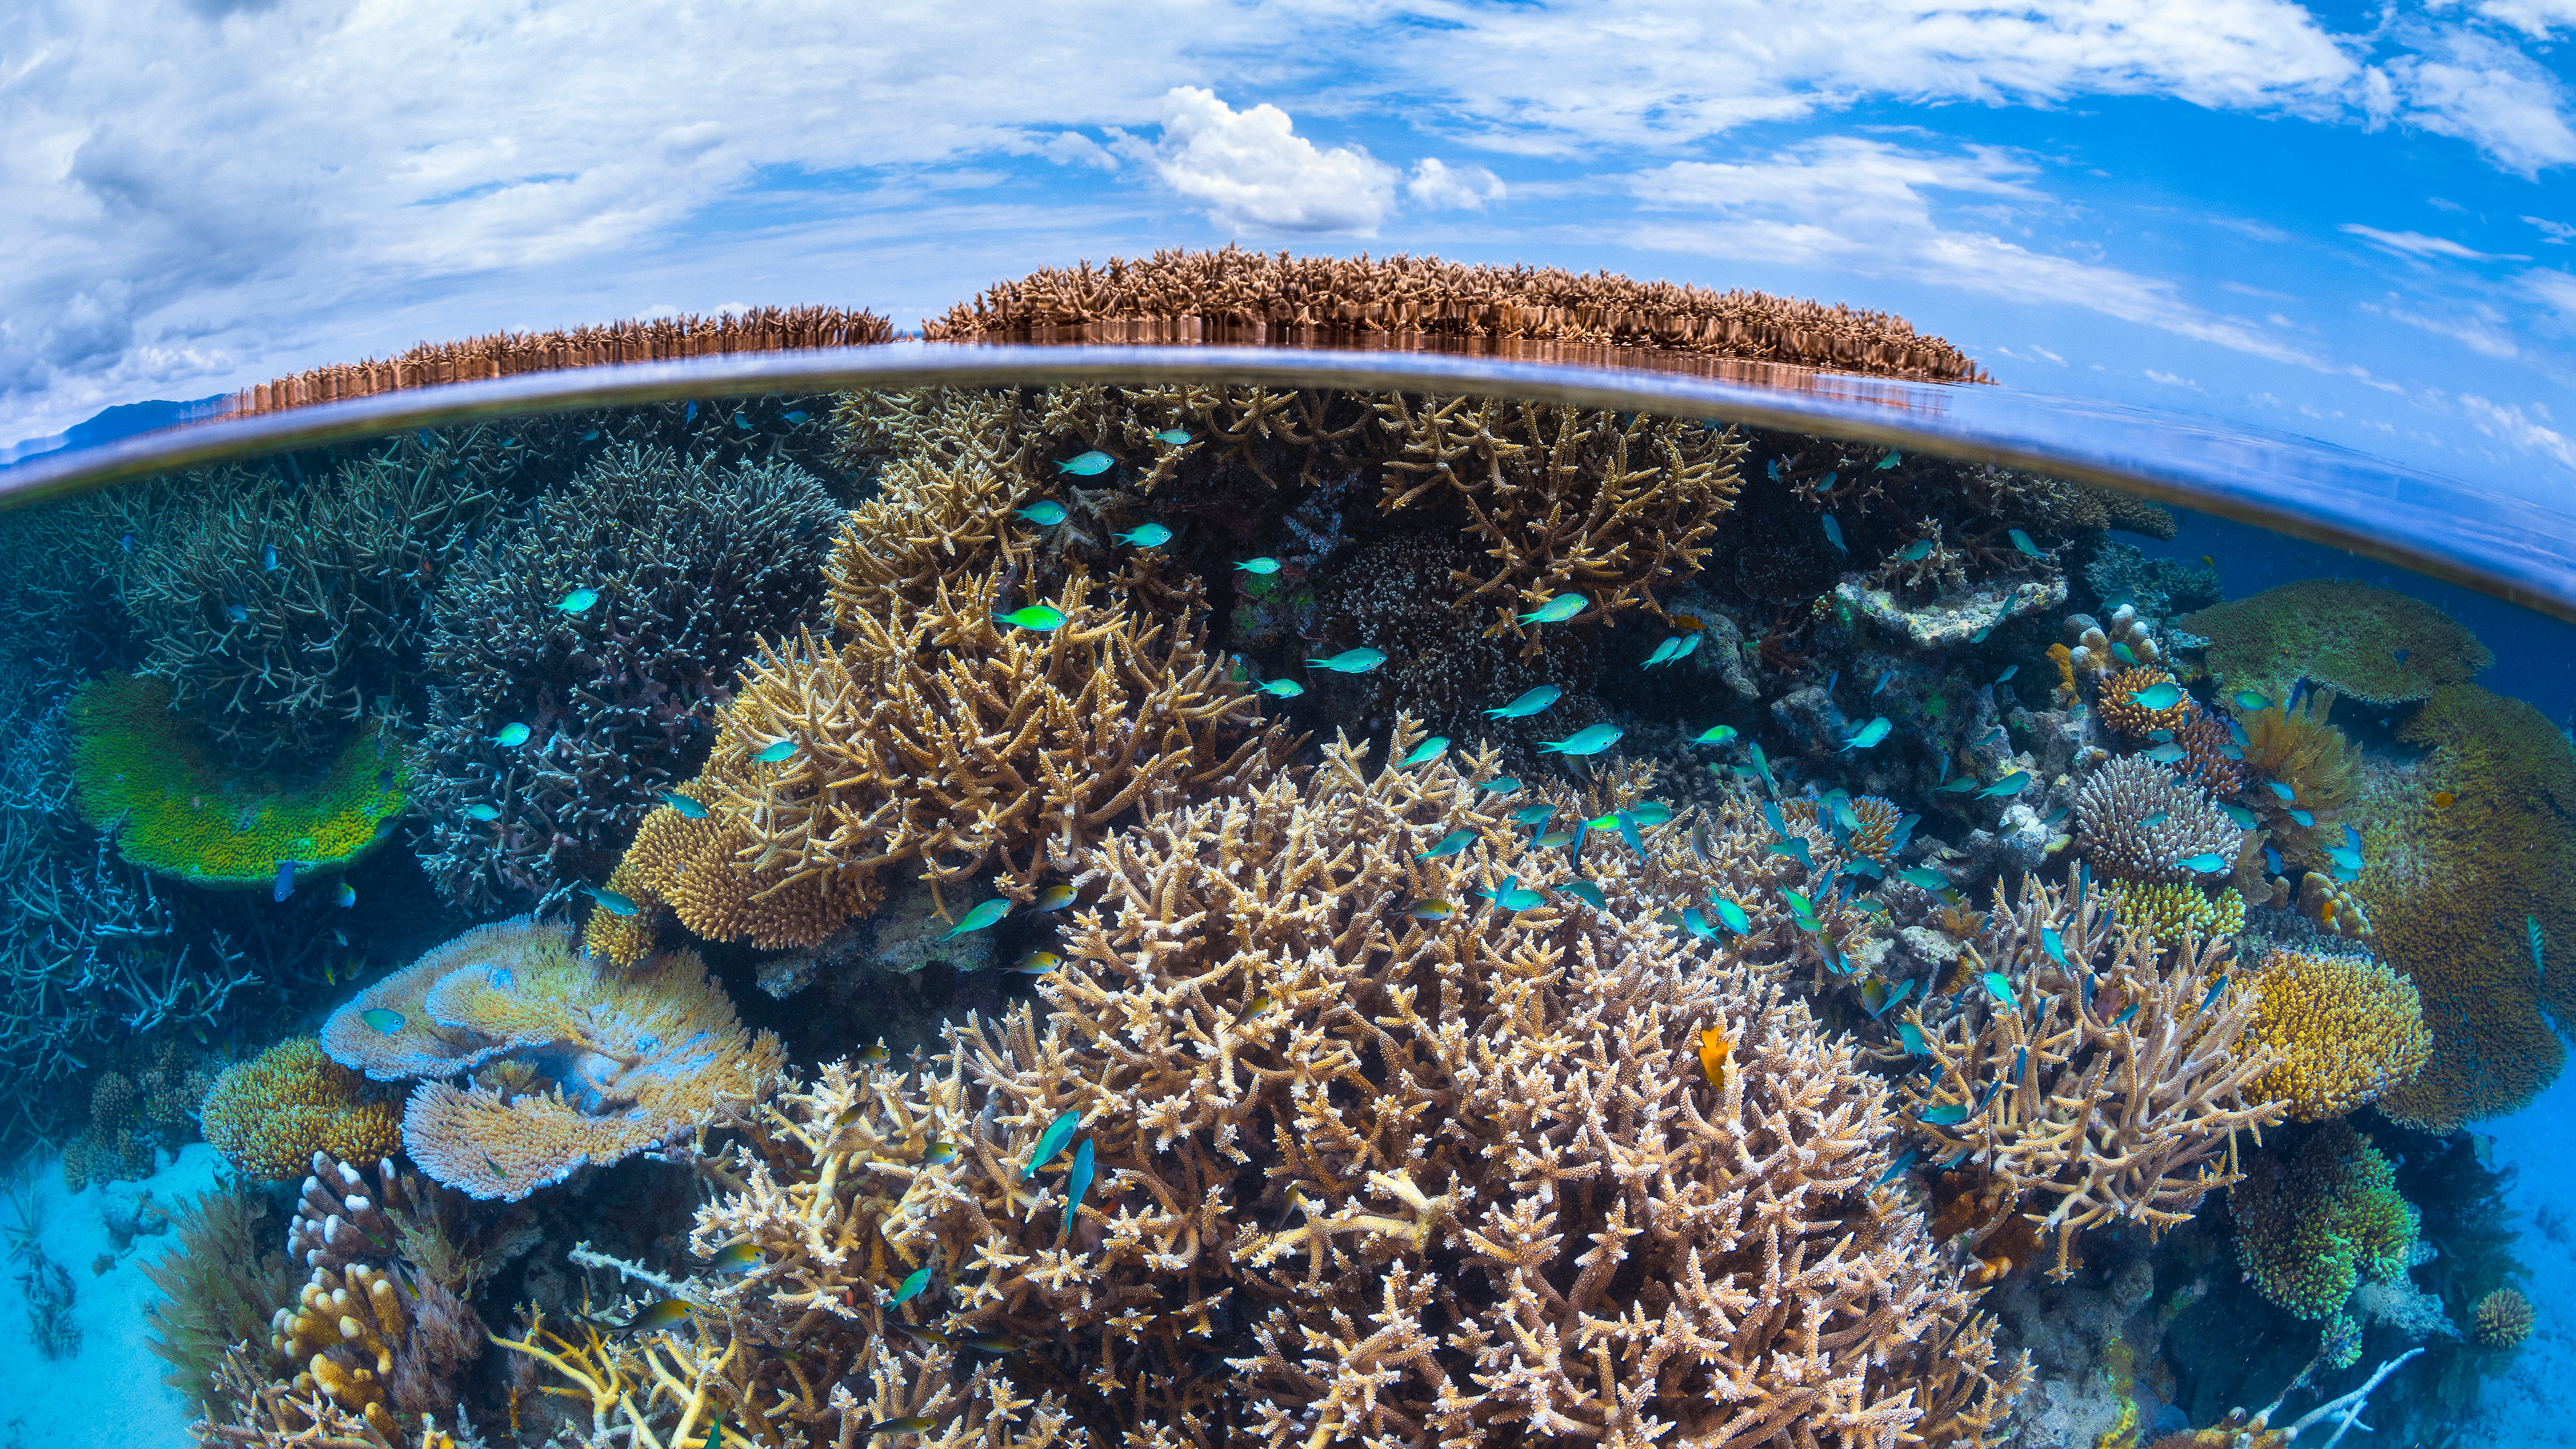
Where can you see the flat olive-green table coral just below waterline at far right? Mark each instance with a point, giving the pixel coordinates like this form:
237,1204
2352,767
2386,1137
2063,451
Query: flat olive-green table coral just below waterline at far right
2369,643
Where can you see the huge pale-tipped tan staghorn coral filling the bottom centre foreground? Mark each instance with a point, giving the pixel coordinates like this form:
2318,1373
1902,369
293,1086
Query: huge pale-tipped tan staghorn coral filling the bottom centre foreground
1274,1254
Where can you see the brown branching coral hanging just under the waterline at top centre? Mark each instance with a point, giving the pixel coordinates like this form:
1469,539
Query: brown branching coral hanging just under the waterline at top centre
1570,501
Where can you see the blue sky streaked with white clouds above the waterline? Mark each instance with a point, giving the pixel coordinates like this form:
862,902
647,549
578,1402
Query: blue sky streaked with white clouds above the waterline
2343,223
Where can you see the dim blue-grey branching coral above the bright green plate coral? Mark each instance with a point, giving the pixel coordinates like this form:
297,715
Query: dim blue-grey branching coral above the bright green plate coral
290,615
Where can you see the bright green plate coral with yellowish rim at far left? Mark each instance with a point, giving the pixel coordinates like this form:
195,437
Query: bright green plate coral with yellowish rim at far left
146,775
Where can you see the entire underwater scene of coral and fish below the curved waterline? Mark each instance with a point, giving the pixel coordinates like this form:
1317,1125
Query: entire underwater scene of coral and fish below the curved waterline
1235,914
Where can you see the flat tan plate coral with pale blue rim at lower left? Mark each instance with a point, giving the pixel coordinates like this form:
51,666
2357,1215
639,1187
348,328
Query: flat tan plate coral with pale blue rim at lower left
614,1061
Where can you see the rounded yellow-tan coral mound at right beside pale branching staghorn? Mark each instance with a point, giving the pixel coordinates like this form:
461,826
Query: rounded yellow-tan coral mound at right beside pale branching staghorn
2345,1030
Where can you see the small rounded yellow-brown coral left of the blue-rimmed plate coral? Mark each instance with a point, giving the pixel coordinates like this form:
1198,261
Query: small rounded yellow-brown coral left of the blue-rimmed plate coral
277,1110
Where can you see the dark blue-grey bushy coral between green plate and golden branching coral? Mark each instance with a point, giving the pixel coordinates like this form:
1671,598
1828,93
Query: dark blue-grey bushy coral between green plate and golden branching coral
692,566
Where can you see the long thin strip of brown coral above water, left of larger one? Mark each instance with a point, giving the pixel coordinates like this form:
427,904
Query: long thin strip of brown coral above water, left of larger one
511,355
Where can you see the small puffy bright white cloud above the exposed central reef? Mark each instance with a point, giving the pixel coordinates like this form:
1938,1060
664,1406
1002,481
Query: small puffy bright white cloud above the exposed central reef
1253,171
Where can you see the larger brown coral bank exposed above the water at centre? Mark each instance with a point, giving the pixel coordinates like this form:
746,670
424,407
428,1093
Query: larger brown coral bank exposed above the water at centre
1235,295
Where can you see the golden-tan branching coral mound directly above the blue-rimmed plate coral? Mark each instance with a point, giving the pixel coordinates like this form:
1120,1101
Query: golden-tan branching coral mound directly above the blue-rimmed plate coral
939,739
